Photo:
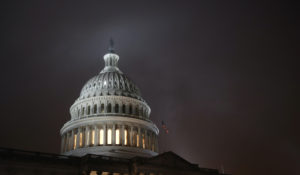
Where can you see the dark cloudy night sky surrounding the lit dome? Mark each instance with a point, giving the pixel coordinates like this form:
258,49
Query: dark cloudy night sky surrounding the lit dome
221,74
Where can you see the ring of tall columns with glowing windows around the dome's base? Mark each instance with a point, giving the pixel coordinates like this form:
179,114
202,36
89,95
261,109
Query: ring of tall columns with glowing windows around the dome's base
109,135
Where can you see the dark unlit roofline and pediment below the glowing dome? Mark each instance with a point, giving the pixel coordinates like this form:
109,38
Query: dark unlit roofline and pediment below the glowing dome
14,161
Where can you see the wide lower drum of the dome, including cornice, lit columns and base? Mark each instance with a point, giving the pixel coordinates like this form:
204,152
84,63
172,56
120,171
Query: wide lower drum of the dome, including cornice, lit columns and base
115,136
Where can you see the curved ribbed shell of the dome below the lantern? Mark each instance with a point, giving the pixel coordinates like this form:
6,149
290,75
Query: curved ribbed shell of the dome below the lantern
110,83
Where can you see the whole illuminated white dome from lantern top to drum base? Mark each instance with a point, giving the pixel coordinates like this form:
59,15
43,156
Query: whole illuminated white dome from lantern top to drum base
110,117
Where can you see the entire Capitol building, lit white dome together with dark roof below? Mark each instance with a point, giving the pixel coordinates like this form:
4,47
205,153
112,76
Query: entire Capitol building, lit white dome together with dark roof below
110,132
